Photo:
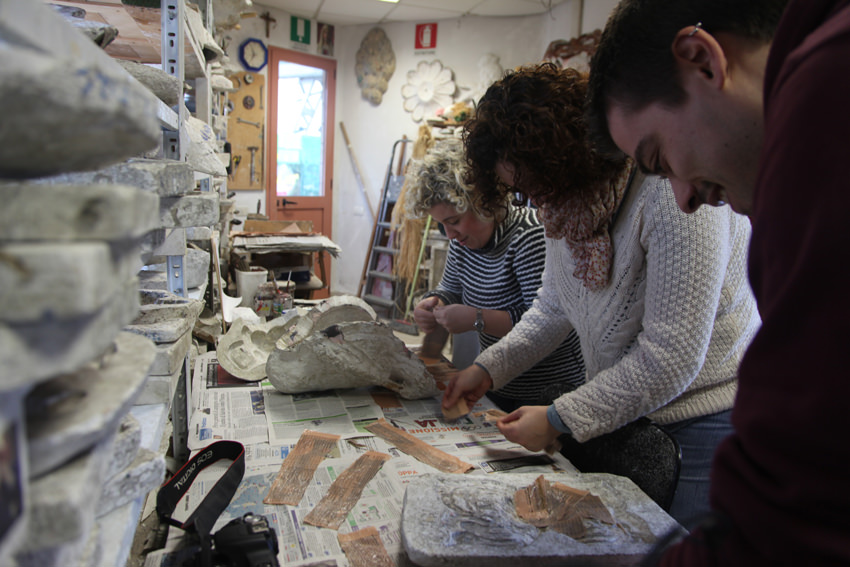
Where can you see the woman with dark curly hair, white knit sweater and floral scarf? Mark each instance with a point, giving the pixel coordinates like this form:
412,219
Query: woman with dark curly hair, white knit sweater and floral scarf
659,298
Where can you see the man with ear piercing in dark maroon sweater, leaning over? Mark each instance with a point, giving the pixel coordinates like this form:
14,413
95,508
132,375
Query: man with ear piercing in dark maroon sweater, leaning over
746,102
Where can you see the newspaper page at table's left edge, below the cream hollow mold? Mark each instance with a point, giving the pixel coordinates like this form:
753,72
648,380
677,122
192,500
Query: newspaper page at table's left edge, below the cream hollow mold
224,407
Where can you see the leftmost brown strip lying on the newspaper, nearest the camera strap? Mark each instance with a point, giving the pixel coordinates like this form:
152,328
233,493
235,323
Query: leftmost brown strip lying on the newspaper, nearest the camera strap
298,467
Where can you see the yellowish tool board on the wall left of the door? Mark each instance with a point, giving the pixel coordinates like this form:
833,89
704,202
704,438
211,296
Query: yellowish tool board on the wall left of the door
246,131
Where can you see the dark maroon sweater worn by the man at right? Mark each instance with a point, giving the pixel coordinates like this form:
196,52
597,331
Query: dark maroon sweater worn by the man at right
783,478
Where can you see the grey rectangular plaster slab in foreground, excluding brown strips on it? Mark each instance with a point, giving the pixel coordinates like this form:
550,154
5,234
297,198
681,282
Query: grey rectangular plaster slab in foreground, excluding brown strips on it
471,521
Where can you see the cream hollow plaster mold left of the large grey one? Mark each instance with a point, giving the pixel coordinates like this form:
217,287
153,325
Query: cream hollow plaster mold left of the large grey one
244,350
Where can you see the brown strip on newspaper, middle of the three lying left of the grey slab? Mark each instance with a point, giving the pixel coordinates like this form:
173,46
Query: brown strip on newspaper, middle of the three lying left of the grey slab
345,491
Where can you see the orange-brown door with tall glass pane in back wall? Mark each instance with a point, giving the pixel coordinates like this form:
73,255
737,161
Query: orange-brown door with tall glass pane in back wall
299,179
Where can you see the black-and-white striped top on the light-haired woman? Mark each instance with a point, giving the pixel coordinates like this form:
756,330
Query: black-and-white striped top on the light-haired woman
505,275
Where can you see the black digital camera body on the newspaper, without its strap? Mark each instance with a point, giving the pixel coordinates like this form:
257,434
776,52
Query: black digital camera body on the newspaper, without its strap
248,541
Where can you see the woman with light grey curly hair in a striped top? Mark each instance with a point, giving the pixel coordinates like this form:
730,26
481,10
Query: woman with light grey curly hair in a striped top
492,274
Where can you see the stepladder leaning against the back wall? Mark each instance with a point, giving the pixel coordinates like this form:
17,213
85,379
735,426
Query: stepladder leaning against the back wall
379,287
